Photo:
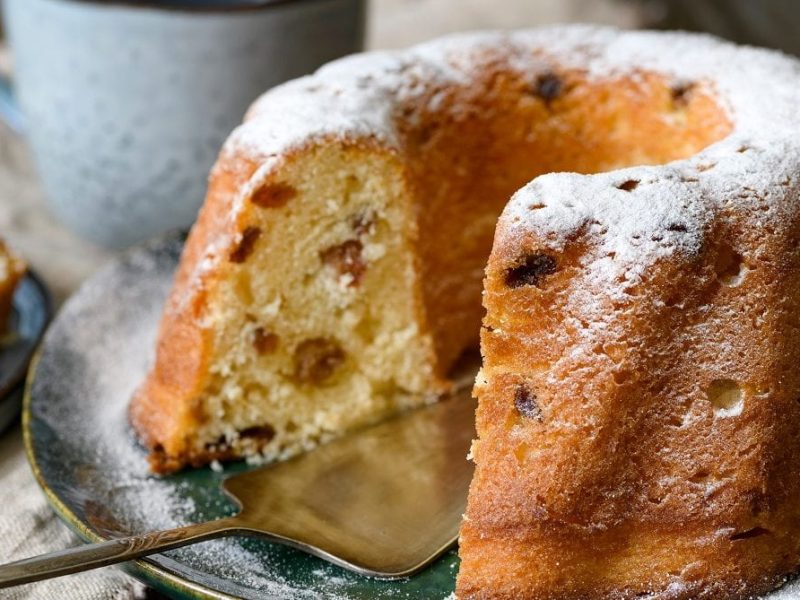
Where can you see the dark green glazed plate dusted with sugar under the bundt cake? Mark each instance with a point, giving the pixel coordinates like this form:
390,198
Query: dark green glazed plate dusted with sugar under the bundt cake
95,475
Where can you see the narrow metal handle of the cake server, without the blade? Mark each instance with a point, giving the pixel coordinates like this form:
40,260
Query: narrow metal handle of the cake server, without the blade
93,556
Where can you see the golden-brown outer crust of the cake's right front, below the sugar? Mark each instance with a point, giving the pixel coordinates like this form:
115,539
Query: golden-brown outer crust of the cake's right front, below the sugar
638,479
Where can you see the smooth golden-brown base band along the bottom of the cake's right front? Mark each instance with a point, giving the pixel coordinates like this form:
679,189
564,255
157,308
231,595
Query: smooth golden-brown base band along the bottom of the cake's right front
664,563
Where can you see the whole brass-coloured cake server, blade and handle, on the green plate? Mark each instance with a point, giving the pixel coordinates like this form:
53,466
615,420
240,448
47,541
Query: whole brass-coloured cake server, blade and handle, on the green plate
384,502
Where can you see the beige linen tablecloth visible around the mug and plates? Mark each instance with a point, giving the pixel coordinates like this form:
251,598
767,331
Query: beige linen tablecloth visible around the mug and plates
27,524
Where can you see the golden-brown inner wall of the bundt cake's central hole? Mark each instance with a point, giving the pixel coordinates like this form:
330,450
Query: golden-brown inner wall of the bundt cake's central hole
476,147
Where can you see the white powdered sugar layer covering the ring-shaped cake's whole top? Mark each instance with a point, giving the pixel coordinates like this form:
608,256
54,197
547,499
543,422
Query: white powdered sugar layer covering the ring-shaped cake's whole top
365,96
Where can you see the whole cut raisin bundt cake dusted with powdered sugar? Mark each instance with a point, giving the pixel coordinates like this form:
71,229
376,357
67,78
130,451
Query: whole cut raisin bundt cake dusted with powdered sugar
638,415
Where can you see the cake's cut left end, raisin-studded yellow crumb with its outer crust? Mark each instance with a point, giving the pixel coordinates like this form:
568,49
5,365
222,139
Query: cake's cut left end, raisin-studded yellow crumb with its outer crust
311,322
